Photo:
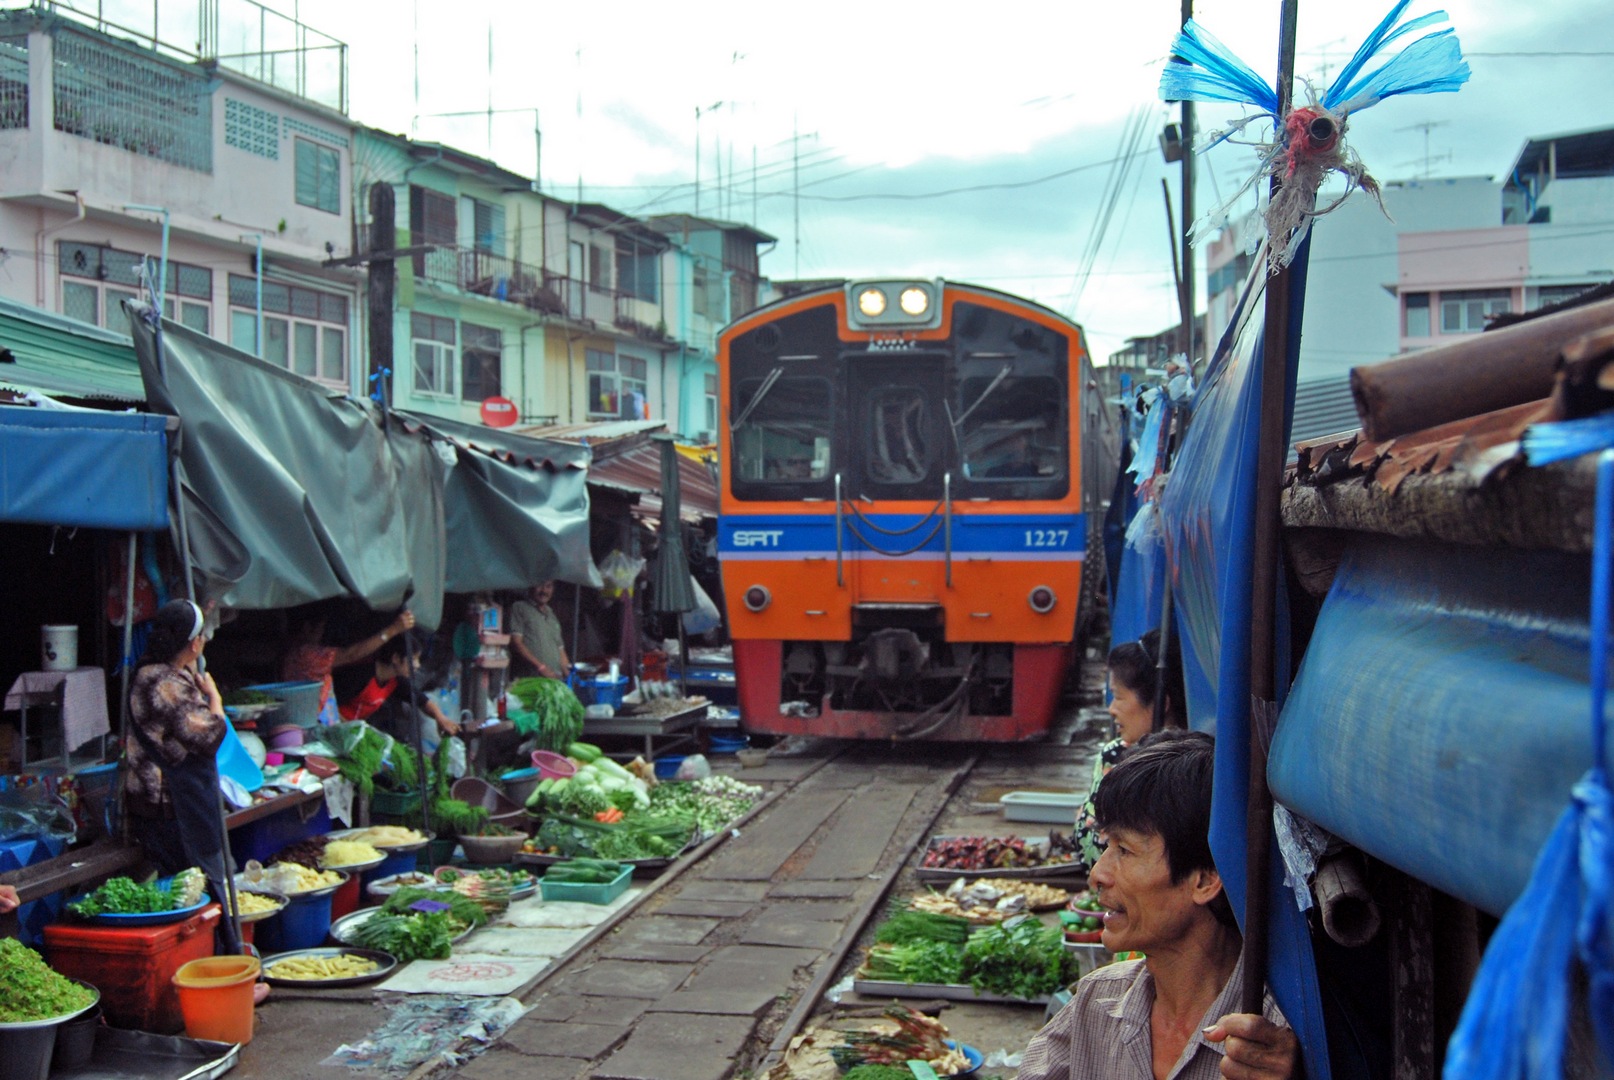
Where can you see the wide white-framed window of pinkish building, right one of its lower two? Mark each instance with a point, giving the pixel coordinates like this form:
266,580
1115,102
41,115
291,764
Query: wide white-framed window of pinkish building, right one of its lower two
304,330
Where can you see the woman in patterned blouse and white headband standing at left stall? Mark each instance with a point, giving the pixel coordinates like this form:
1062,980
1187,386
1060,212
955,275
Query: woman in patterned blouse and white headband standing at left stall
172,781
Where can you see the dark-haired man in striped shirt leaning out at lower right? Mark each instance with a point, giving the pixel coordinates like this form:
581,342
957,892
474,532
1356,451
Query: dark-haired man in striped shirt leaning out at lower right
1169,1016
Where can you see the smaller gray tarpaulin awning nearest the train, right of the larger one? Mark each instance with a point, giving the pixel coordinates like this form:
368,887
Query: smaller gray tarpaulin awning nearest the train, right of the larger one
517,509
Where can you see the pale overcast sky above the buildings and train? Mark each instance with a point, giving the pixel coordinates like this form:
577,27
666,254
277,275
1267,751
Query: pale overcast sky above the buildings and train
969,141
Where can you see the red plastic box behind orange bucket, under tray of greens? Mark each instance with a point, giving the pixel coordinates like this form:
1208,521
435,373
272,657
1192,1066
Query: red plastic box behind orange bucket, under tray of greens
135,968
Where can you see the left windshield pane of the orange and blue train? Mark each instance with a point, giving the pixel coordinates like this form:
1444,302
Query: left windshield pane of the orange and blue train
784,437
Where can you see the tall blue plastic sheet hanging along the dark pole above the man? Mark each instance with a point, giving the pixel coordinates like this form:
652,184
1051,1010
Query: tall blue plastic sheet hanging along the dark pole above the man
1210,529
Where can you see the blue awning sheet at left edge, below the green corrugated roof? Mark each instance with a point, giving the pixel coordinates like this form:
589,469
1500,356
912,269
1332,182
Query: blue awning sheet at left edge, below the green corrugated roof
83,469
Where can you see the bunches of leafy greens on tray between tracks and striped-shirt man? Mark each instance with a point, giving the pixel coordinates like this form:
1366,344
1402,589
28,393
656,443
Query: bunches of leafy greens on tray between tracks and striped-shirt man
1018,960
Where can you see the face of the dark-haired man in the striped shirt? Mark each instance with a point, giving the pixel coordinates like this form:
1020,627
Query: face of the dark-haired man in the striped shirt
1134,882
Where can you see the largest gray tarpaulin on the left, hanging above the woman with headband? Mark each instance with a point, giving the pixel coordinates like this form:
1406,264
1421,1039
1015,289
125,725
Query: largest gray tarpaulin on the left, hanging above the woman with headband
295,493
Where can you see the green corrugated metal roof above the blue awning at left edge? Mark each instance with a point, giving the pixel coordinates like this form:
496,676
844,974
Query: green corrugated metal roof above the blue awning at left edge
62,356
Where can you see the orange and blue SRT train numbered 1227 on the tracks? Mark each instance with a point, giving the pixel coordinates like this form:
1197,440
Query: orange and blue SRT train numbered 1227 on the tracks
914,477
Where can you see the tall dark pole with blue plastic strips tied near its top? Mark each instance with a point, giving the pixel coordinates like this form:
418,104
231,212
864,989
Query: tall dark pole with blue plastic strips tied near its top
1265,561
